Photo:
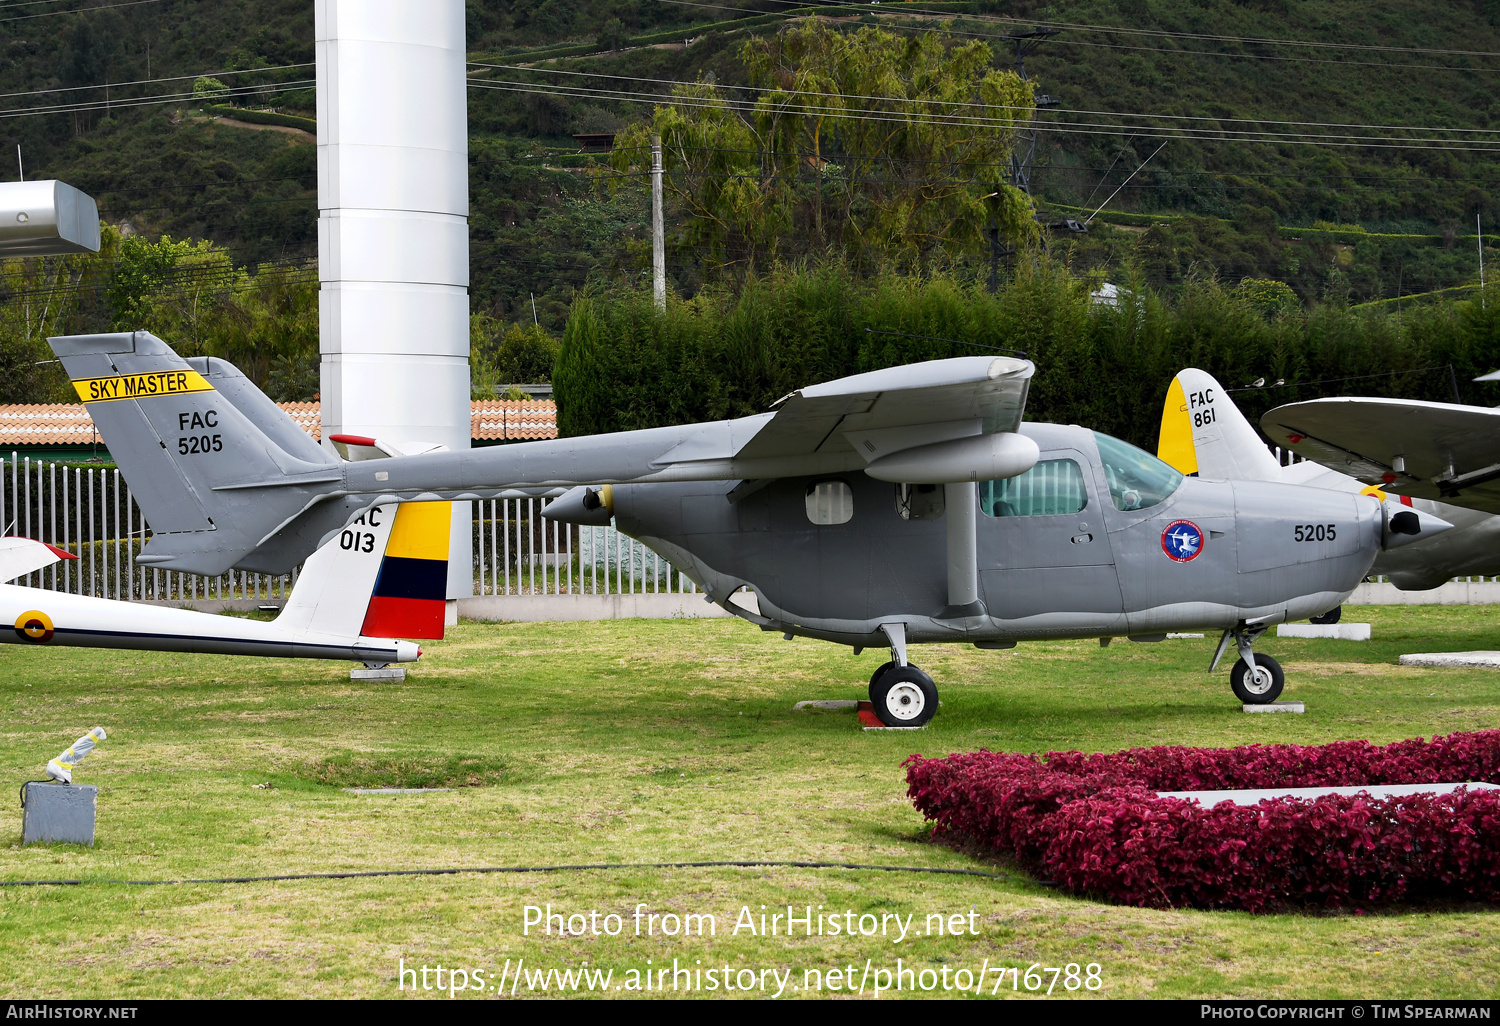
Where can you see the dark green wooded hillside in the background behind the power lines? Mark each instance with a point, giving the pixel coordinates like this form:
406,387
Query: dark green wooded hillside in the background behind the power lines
542,226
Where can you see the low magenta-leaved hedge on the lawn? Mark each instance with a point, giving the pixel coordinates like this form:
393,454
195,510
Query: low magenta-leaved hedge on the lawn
1094,823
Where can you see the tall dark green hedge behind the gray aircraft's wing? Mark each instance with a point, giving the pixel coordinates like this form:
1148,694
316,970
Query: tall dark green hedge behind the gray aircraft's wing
623,365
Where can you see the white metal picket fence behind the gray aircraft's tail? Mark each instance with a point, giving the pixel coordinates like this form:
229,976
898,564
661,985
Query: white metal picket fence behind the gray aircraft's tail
89,512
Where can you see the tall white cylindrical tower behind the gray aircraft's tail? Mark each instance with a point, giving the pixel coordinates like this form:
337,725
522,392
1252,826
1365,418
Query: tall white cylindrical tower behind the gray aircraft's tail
394,229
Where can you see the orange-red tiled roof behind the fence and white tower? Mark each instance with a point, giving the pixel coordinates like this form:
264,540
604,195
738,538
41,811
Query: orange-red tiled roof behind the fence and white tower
68,424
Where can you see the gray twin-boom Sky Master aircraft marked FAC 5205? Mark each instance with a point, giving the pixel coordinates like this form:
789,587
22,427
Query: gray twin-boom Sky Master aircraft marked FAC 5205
893,508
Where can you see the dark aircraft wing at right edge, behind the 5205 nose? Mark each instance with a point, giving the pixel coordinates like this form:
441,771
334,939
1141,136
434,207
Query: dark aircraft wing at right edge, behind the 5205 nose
1423,449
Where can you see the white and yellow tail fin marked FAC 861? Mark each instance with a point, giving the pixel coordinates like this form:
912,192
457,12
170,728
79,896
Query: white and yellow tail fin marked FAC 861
1205,434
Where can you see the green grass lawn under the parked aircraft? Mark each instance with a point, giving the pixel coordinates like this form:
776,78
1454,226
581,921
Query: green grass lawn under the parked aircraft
647,742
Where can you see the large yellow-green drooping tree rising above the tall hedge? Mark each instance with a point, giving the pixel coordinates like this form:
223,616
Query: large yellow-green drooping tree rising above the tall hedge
868,145
